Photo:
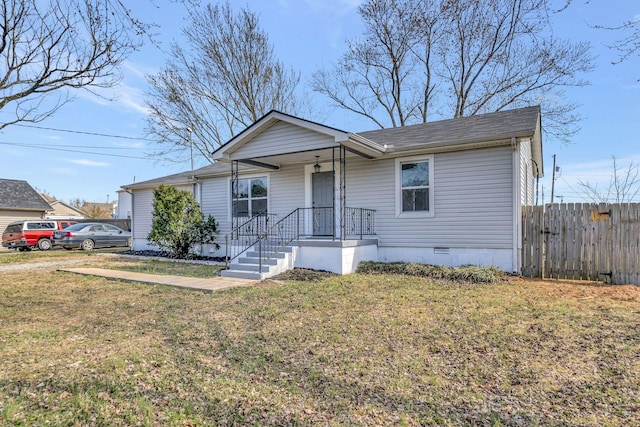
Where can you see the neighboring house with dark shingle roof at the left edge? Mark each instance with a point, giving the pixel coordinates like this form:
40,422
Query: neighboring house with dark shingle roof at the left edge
18,200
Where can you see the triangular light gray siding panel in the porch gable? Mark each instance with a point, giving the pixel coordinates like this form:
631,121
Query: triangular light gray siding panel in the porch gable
282,138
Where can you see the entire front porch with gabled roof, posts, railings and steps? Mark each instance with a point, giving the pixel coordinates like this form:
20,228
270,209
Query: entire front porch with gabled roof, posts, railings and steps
293,203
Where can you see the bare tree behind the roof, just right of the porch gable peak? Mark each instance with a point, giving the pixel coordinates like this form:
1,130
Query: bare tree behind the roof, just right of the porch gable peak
386,76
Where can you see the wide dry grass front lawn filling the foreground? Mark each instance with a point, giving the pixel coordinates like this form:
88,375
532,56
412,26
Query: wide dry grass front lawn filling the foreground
351,350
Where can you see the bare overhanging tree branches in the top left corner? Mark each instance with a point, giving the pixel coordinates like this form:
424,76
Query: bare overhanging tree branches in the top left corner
48,48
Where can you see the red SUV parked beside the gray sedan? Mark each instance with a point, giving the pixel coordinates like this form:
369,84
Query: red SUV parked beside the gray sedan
28,234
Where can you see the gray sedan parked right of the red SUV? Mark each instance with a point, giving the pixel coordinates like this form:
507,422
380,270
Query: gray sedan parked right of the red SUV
90,235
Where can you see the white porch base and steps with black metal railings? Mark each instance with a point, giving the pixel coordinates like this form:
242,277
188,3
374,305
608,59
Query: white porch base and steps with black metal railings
264,246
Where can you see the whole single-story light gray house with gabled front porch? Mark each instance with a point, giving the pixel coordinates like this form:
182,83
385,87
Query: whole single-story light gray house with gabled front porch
447,192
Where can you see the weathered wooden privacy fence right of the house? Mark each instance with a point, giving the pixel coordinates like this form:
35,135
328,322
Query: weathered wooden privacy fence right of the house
582,241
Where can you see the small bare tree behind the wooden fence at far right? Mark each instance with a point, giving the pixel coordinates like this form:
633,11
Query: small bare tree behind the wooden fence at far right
624,185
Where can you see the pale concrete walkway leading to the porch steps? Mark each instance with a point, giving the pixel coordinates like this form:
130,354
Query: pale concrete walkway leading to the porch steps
193,283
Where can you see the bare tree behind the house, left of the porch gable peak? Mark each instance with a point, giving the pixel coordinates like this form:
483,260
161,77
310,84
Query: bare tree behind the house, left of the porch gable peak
223,79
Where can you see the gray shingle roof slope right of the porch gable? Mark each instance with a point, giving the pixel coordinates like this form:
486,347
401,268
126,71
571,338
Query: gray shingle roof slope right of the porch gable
517,123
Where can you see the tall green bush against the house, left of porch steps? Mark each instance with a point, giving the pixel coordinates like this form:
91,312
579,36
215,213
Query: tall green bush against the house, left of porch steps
178,224
